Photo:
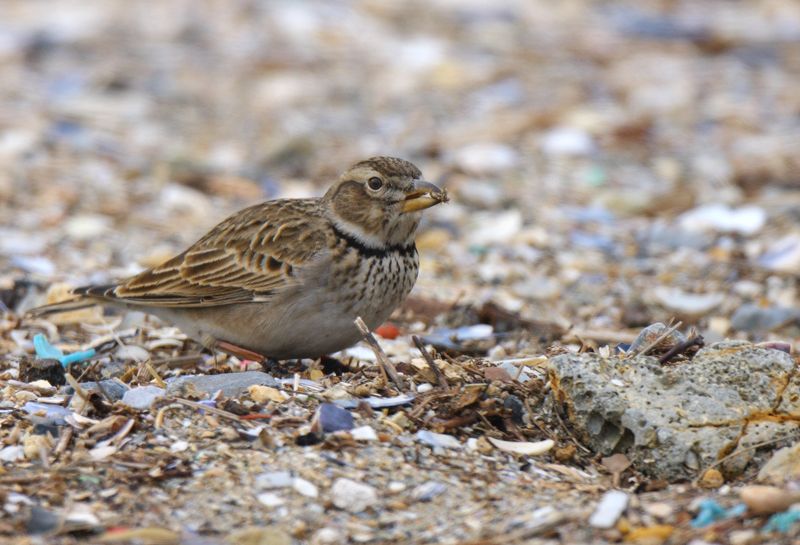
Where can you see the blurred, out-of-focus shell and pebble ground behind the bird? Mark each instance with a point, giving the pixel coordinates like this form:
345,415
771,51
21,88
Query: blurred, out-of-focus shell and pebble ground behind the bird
611,163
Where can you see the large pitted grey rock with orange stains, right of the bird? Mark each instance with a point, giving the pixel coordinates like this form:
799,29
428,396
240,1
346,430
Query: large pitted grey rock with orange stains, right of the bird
673,421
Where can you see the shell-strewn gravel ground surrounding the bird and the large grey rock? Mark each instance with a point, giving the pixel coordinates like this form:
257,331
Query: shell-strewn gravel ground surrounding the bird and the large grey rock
610,165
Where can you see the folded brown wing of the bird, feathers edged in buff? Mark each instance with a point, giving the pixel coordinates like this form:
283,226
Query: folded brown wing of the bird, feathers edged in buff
248,257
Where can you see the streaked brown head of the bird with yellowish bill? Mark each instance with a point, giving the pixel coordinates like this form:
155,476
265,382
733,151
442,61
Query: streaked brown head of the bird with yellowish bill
379,201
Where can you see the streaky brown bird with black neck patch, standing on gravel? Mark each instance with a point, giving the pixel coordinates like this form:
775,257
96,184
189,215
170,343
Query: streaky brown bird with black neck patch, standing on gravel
285,279
